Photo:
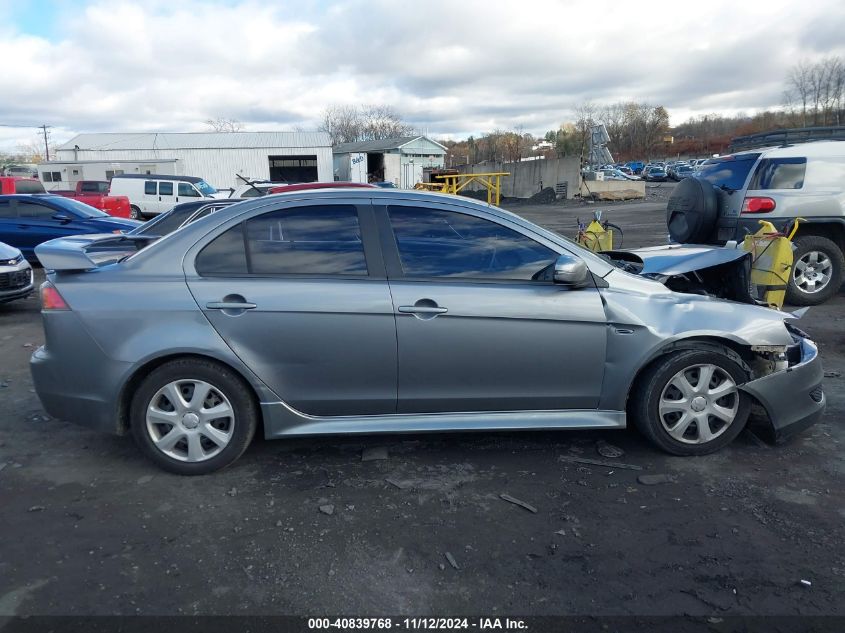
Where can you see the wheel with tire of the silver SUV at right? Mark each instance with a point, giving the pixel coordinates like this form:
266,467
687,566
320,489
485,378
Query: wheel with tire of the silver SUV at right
816,271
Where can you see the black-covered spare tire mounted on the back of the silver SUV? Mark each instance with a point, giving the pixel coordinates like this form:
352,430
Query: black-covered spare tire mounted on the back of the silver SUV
692,212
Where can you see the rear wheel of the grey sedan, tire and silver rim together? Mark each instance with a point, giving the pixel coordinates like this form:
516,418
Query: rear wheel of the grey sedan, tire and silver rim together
192,416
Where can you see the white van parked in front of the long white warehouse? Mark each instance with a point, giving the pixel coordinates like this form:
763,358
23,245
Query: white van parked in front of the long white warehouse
151,194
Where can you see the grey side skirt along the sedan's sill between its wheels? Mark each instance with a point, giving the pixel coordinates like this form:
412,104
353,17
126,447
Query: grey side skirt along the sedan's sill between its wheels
281,420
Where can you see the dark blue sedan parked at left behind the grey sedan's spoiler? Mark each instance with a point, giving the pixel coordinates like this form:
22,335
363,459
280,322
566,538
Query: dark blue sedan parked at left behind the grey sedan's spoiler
28,220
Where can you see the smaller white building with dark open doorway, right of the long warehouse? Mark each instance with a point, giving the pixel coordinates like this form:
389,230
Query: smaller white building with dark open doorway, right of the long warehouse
398,160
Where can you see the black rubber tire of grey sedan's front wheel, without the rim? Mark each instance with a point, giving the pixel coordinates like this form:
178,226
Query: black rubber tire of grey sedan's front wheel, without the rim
649,387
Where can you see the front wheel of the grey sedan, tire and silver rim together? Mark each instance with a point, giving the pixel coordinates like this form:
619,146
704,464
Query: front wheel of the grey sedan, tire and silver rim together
688,403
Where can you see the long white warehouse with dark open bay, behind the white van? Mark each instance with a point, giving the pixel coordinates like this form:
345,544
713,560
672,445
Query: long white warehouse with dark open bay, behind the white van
218,157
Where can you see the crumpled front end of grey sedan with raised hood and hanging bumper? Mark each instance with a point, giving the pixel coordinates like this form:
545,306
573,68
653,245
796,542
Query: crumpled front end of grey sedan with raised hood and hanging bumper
709,306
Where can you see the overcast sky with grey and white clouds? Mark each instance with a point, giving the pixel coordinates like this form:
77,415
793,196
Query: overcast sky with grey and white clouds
450,68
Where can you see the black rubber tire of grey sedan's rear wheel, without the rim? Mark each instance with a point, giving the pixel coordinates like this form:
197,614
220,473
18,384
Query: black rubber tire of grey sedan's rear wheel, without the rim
224,381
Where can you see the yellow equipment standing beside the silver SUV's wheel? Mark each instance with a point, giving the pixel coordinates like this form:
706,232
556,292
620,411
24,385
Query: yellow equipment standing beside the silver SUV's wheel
771,260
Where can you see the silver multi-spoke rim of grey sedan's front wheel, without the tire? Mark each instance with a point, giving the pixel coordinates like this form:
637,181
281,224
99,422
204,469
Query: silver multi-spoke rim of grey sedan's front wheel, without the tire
698,404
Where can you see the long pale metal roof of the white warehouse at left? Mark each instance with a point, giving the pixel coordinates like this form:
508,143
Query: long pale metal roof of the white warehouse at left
196,140
